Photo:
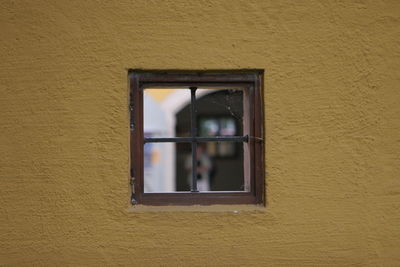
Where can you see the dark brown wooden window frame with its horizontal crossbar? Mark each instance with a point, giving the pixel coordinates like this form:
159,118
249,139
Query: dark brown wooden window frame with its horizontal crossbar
251,80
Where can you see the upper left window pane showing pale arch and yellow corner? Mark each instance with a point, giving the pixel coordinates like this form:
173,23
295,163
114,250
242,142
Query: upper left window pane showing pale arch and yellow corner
161,107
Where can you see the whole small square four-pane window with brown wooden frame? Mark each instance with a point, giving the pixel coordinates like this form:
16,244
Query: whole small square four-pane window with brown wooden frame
208,119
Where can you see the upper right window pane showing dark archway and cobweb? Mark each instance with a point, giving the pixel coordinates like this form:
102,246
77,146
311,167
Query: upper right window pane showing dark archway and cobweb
219,112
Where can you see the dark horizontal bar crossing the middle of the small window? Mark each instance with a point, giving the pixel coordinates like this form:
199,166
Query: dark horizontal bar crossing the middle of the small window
197,139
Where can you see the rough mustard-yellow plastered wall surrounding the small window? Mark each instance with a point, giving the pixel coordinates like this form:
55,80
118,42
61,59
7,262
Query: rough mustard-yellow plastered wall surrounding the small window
332,131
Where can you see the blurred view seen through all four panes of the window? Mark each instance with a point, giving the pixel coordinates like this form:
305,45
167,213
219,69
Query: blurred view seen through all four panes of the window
167,166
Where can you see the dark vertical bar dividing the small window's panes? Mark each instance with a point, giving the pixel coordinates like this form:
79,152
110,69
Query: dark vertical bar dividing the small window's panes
193,132
